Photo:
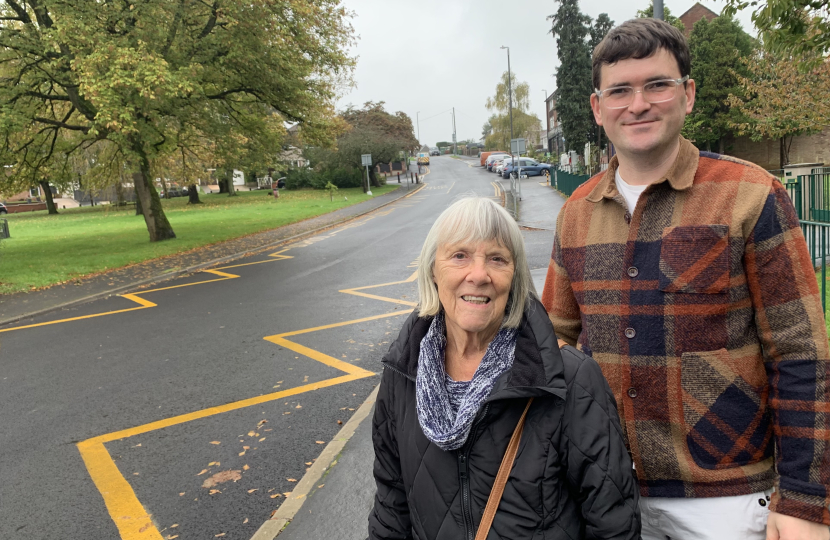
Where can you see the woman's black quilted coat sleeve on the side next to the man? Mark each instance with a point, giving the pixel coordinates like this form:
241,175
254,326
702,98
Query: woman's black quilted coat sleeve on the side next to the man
599,467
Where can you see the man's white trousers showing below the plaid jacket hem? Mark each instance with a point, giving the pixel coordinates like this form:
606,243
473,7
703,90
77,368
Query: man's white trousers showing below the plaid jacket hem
742,517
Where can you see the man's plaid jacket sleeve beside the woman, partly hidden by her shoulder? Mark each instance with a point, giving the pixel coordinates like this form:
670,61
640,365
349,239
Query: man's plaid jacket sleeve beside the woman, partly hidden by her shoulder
558,296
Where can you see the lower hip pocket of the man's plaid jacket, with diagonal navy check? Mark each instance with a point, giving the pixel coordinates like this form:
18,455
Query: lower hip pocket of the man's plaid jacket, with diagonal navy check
725,409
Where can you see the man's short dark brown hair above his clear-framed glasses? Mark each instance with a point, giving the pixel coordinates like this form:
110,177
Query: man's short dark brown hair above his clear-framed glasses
640,38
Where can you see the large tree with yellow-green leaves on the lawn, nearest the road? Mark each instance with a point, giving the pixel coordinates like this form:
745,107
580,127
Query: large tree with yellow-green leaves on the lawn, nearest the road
138,74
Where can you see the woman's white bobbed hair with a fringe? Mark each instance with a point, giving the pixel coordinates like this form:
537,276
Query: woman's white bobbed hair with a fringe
475,219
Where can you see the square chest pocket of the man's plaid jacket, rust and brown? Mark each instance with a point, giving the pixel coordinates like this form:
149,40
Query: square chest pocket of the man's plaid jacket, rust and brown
694,259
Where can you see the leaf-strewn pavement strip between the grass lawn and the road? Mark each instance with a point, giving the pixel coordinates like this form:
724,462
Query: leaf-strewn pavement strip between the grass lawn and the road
24,305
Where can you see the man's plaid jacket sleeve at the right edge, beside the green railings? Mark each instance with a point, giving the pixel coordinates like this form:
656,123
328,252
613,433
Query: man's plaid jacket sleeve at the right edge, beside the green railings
790,323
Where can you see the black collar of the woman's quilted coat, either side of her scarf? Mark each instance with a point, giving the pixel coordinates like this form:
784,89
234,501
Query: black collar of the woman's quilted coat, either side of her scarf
537,367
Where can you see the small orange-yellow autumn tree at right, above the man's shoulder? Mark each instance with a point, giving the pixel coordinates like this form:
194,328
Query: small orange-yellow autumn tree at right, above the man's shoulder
779,101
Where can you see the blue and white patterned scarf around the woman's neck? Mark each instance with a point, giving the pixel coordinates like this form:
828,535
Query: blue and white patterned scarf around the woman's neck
445,425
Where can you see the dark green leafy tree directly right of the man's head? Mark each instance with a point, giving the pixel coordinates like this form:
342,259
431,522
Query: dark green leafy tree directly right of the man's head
717,49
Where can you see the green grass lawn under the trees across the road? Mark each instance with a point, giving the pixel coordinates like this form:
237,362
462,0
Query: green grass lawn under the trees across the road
45,250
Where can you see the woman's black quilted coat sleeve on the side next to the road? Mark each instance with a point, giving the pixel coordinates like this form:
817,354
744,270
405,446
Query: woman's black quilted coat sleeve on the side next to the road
389,519
